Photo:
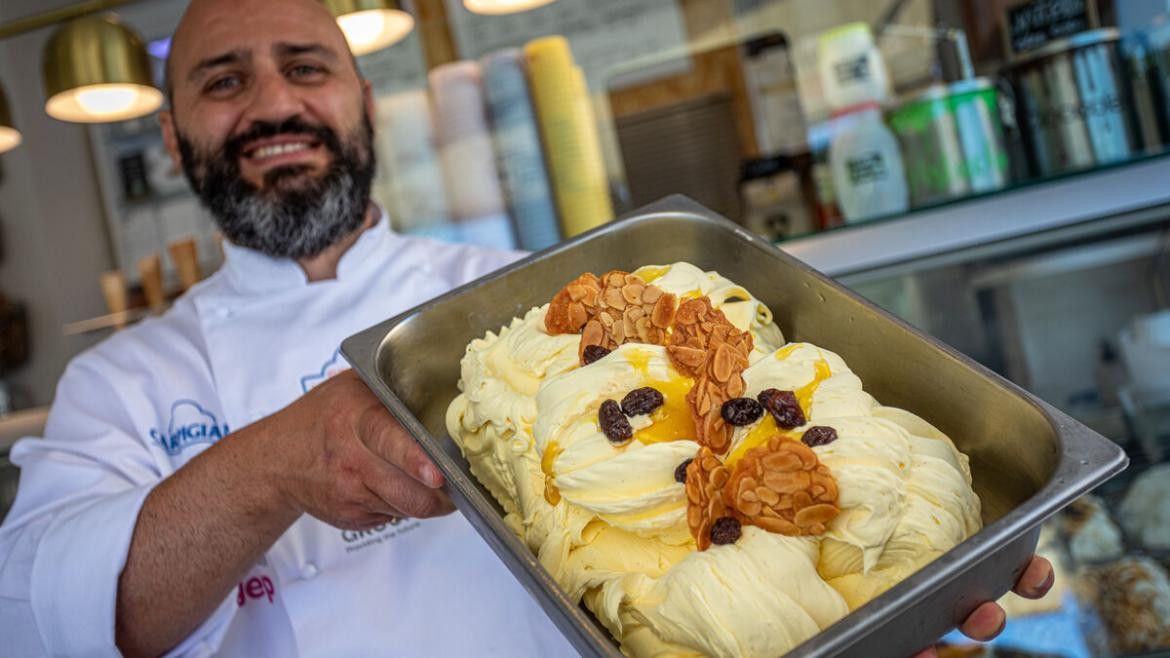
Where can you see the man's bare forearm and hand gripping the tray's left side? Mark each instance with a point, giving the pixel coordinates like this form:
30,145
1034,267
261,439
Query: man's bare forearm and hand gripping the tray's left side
336,454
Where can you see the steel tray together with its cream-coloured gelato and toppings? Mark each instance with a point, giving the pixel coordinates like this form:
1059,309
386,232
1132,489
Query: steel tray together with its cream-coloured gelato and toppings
563,410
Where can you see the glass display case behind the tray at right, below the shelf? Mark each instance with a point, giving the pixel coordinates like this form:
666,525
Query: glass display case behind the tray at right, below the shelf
1078,316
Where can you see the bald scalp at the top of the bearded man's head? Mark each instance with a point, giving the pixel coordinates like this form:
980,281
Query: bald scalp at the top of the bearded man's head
204,16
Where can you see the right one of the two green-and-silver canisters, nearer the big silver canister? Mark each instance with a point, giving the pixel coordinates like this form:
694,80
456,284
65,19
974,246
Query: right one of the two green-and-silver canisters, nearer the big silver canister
975,105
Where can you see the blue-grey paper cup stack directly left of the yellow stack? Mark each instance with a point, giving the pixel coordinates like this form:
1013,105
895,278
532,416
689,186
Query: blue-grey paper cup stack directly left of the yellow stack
519,155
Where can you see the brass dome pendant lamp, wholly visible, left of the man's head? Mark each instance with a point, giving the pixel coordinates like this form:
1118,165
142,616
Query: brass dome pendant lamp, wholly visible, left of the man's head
97,71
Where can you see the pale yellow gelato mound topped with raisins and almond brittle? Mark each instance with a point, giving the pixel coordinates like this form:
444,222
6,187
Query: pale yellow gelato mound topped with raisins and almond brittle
701,485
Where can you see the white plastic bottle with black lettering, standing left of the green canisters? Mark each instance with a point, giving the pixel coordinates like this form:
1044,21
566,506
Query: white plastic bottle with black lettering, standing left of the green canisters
866,163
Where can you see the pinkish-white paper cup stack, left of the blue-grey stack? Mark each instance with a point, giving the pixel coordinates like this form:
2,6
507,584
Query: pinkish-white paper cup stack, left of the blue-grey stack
469,160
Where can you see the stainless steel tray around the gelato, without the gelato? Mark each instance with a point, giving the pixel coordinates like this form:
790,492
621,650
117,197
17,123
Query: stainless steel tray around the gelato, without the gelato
1029,460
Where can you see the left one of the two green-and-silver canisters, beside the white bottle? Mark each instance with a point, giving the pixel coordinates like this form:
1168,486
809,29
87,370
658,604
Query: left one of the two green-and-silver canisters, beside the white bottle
928,134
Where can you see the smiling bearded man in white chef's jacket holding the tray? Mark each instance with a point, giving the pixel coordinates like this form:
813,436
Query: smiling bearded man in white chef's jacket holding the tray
215,482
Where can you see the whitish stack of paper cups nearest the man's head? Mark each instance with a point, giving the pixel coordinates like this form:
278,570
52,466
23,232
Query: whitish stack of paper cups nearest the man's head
414,182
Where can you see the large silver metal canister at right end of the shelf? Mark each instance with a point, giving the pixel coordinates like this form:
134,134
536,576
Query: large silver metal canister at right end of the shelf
1073,104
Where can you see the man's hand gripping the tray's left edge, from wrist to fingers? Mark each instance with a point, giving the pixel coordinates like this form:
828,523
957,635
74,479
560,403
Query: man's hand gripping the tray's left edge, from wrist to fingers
349,463
